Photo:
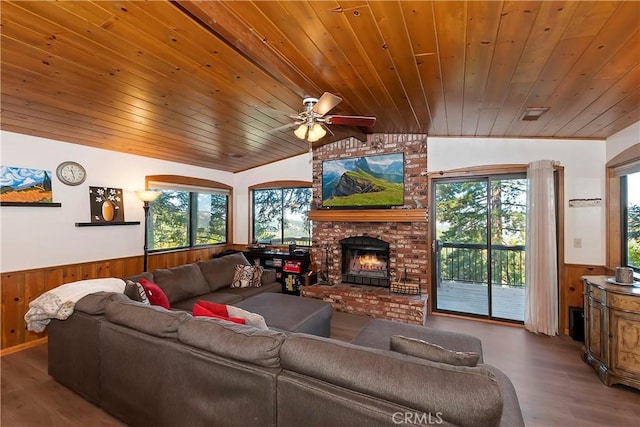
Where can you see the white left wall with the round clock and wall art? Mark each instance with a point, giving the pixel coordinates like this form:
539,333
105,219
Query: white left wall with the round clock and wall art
33,237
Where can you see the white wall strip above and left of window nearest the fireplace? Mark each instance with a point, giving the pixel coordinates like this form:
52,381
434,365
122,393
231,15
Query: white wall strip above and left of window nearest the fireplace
297,168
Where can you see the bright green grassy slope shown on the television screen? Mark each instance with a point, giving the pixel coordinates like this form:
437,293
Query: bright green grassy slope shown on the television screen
388,194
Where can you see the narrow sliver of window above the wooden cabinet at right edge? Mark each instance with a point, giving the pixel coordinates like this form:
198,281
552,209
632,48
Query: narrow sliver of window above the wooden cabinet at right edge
630,204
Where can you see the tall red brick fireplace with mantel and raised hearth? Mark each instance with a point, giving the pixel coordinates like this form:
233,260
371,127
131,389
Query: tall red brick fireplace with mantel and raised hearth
402,229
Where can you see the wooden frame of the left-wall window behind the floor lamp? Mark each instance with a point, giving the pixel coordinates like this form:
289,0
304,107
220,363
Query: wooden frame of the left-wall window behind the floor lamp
185,183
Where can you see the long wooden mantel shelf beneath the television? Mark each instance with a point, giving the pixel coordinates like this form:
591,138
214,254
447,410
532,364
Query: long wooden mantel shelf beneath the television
369,215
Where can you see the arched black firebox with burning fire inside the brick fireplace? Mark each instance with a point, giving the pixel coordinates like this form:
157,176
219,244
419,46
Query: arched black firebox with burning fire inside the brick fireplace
365,261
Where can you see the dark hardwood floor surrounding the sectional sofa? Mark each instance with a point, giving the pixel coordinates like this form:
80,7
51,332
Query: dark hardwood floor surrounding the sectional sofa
554,386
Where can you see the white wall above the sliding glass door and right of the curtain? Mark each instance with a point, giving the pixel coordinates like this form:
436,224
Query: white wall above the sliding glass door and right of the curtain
584,170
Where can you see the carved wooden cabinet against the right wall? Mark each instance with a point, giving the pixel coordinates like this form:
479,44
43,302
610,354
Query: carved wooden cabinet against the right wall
612,330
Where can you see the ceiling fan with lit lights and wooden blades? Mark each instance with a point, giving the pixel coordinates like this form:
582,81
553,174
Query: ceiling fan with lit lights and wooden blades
312,122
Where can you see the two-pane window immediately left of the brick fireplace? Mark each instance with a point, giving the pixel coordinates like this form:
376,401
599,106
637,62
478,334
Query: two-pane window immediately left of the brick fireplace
281,215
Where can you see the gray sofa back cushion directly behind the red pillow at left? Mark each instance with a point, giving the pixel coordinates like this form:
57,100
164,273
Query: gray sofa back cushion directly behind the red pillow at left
182,282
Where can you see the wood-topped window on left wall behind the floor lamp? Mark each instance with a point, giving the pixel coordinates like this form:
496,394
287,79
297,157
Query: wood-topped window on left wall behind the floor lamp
187,215
